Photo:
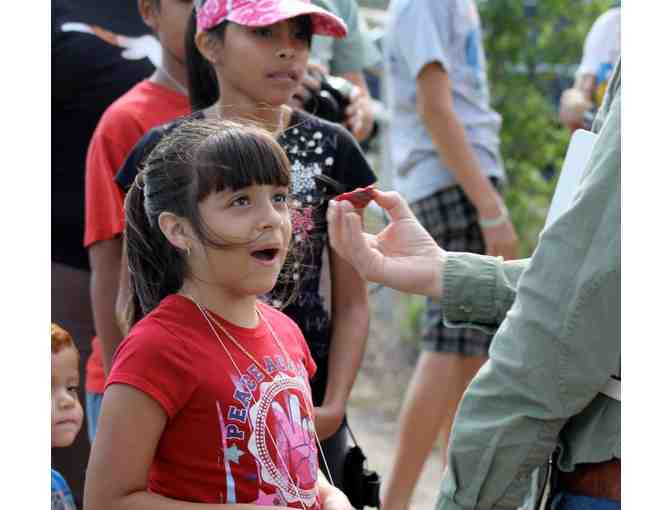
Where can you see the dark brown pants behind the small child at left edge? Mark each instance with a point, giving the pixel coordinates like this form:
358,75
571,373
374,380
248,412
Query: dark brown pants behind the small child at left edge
71,309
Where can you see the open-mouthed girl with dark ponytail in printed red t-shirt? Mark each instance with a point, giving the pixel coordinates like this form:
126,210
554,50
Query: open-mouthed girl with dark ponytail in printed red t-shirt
208,400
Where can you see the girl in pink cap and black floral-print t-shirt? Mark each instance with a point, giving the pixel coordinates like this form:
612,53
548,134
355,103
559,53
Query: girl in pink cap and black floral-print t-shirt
245,60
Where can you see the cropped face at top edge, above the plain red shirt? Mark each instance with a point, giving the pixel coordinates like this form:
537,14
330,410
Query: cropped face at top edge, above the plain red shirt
169,22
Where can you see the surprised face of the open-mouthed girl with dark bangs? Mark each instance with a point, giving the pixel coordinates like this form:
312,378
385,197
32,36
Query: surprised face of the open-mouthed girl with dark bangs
257,218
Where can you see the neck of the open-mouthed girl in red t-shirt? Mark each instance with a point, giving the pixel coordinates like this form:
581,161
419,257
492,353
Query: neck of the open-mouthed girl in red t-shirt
241,311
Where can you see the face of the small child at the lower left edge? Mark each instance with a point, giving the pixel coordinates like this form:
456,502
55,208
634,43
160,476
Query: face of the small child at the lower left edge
66,411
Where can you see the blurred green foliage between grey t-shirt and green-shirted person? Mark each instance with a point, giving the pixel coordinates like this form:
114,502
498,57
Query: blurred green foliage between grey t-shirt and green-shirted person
533,48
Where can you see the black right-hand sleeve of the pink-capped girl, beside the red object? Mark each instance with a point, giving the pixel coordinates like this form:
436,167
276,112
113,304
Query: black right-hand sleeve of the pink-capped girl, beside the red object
351,167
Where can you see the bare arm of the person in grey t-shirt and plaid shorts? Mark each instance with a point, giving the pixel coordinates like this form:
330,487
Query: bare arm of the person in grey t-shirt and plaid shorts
435,107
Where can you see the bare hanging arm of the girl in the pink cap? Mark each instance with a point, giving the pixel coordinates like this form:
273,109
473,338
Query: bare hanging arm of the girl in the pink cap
350,329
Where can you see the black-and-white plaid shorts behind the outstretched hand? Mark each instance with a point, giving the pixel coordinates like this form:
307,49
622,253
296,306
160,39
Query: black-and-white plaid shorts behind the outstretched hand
452,220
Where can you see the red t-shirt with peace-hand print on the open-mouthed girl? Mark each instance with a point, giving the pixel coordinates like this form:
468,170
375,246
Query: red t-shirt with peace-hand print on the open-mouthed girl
234,435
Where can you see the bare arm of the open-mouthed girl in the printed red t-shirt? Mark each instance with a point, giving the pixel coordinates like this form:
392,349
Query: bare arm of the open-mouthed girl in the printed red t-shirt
129,428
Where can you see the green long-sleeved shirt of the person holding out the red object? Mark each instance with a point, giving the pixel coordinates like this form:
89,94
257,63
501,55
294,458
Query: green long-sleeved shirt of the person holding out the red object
557,317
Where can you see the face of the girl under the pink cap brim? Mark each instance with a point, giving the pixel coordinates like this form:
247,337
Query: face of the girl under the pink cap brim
261,64
